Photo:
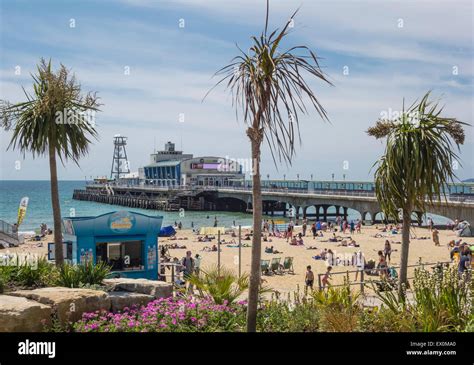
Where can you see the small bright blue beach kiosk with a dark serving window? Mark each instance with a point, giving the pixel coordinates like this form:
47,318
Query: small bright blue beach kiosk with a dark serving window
127,241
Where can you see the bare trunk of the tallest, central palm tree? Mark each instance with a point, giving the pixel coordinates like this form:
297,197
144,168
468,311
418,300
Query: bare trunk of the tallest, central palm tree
255,274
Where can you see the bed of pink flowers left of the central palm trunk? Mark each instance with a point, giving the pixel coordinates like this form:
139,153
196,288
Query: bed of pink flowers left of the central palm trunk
168,315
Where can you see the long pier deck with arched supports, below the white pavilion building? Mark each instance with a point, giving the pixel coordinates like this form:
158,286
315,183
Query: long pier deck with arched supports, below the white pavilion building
297,203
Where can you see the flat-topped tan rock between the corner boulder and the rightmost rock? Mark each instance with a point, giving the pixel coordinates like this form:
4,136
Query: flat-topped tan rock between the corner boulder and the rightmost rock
68,303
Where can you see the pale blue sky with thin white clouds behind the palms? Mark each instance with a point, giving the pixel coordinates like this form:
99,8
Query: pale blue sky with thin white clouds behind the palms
152,62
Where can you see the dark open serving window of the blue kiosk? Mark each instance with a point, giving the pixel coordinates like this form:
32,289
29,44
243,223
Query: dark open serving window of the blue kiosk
122,256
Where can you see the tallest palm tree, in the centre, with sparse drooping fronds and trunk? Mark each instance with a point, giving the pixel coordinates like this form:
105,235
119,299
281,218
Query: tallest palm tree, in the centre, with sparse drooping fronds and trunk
268,87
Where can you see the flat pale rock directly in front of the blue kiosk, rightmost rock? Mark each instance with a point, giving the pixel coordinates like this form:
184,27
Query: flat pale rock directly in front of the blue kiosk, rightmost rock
158,289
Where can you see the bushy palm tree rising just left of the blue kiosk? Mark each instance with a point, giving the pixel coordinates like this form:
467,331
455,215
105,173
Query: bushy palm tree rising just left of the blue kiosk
54,121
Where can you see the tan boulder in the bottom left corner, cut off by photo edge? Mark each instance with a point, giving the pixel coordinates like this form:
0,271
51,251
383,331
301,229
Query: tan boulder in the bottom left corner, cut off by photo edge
19,314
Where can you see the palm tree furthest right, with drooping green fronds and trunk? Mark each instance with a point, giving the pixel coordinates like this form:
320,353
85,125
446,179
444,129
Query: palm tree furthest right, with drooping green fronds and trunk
416,165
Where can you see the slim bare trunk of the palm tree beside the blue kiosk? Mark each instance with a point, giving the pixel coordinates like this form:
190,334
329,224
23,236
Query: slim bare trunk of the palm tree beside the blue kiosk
58,240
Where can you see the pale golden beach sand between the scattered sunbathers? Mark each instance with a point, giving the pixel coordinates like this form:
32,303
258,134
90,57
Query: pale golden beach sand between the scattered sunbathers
423,249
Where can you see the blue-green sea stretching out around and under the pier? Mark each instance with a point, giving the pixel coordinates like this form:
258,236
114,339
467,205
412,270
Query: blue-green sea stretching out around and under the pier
40,209
